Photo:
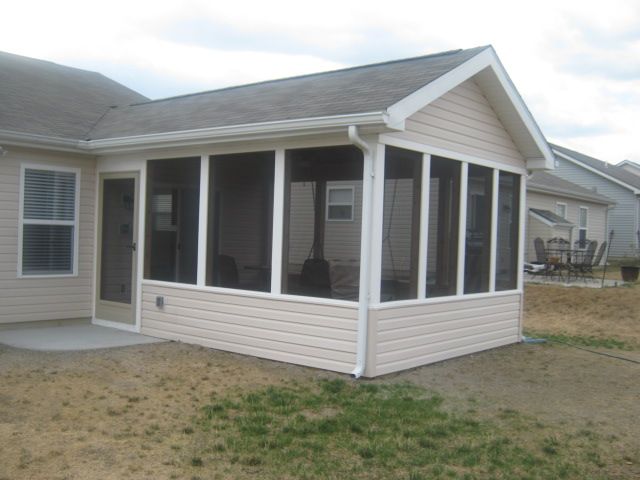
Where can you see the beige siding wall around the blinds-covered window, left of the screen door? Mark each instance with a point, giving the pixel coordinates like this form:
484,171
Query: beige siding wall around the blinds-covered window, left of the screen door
37,299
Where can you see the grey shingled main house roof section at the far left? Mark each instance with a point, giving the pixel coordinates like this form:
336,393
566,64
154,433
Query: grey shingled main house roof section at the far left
43,98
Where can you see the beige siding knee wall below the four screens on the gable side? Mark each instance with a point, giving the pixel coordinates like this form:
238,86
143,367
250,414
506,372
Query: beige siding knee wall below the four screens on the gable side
410,336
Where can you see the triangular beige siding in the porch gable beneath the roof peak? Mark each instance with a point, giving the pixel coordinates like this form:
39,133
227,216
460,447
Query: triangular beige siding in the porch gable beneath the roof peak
463,121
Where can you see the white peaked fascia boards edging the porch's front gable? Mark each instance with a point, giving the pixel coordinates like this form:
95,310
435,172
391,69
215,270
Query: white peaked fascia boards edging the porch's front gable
409,105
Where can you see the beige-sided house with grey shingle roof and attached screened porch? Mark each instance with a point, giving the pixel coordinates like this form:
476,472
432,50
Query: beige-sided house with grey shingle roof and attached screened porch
265,219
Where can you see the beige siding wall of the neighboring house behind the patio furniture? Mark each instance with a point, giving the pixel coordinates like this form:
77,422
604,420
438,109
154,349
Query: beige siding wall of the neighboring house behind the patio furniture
596,220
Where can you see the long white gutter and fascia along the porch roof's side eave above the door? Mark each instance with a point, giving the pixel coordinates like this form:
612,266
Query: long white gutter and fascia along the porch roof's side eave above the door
252,131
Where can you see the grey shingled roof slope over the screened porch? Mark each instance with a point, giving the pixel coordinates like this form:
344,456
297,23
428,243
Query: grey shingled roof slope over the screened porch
365,89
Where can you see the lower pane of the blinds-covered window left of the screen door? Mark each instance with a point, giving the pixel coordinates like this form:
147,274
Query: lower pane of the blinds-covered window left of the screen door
47,249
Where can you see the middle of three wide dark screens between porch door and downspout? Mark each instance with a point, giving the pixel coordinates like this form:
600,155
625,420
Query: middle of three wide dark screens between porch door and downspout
240,221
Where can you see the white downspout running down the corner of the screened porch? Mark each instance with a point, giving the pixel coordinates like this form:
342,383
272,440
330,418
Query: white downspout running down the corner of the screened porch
365,254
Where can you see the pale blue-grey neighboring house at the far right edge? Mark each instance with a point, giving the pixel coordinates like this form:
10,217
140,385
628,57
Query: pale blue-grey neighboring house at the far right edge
615,183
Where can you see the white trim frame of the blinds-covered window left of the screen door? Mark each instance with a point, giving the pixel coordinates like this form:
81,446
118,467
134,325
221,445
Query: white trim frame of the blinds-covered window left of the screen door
74,223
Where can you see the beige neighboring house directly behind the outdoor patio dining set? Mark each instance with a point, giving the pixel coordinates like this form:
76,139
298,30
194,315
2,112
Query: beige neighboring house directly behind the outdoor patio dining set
561,209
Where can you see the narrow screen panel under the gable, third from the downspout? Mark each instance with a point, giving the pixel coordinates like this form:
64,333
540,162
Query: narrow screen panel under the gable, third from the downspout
478,234
